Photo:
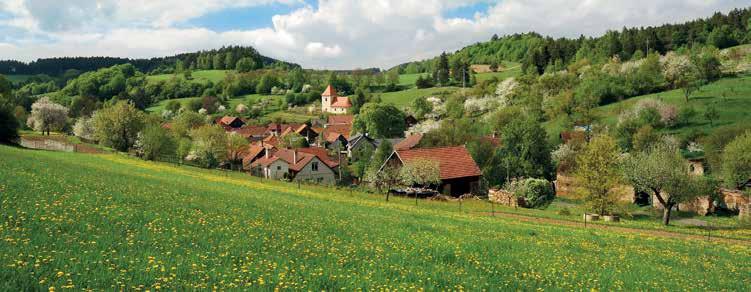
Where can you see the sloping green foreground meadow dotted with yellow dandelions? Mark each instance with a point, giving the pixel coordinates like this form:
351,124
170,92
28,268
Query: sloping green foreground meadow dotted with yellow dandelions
111,222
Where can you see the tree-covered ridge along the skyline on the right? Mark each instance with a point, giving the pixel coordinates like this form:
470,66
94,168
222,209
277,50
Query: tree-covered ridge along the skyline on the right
540,53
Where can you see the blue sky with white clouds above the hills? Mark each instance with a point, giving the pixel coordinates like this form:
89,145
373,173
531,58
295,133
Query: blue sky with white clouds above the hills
332,34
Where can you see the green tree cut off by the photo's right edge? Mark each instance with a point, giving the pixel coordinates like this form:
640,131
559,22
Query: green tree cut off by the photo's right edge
736,161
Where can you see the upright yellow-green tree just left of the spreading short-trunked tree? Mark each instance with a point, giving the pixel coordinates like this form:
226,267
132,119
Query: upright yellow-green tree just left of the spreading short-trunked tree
597,173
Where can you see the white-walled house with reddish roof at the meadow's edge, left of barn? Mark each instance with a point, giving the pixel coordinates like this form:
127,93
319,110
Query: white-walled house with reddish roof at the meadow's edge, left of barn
296,165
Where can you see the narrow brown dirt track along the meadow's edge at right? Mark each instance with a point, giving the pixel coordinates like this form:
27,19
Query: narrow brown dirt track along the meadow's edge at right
656,233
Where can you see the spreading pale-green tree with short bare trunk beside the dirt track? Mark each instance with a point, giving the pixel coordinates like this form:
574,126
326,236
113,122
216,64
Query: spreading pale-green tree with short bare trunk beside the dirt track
663,172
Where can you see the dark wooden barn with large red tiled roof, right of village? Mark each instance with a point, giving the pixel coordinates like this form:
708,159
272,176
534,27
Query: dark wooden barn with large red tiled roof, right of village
458,172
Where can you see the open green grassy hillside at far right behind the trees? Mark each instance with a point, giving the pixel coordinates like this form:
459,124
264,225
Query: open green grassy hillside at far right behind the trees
733,107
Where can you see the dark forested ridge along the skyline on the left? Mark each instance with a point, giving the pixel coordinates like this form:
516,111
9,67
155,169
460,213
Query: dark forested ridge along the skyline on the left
224,58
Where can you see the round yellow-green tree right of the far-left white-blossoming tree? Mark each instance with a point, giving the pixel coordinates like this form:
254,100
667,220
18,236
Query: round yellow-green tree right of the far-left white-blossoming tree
117,126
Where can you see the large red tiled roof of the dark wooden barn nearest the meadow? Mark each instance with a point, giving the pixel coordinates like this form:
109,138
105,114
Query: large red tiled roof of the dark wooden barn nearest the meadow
454,162
